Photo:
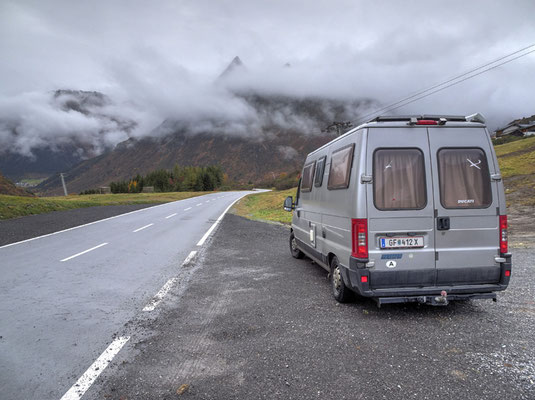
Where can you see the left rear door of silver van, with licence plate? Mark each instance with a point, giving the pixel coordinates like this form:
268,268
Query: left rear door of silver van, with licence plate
400,208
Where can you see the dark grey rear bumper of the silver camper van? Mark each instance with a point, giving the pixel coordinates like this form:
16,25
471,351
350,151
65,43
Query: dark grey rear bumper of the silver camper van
356,271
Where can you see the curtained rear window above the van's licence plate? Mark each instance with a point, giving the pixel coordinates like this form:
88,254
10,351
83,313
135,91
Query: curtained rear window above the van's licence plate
399,179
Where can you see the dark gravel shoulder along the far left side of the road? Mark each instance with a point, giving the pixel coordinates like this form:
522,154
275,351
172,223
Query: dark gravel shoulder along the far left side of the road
17,229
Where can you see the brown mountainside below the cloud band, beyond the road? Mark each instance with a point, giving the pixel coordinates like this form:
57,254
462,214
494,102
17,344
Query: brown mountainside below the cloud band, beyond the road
243,159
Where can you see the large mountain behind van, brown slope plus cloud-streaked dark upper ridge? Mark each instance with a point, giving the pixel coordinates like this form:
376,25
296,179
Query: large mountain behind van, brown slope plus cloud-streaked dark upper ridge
278,142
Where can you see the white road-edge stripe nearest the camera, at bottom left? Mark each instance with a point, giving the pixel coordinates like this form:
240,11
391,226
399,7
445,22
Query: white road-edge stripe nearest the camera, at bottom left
86,380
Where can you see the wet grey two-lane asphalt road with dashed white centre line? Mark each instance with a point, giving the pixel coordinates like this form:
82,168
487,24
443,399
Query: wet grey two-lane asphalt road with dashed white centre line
65,297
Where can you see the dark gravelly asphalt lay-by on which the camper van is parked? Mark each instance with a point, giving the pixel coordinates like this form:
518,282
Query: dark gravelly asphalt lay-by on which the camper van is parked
250,322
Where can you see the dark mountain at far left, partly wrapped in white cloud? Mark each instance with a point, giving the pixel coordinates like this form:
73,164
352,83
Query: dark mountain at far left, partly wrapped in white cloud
58,153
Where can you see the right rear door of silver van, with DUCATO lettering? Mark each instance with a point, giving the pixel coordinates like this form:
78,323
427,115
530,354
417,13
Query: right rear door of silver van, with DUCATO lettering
466,203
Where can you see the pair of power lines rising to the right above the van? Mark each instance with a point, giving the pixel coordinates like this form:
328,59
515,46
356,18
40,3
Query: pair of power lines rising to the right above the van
424,93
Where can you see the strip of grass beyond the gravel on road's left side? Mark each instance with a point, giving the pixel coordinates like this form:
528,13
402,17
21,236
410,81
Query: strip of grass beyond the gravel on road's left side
18,206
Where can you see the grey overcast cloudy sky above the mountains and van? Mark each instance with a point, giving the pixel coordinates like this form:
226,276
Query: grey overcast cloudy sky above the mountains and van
346,58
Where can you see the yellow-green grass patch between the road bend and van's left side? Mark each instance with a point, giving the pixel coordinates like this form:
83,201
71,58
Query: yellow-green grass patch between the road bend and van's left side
265,206
